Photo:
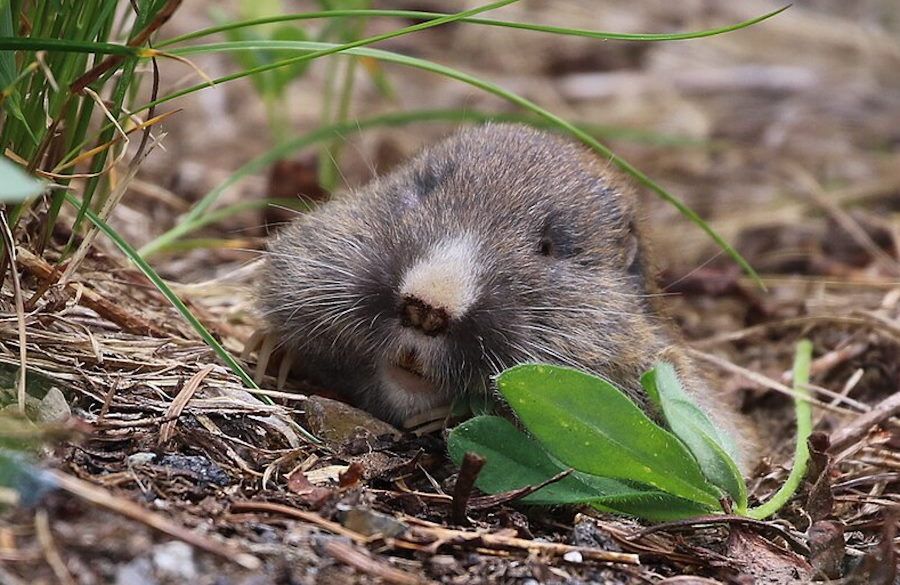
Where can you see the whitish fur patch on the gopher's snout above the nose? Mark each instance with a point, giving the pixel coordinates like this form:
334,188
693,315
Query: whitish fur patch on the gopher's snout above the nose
446,277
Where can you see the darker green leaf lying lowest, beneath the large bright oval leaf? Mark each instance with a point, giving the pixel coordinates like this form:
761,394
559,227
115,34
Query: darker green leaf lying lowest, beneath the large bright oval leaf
515,460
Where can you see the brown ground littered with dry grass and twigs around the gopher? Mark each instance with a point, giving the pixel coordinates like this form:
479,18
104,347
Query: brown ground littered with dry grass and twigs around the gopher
786,136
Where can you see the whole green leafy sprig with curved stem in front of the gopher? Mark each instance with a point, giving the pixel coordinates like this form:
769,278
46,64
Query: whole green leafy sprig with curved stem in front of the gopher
622,460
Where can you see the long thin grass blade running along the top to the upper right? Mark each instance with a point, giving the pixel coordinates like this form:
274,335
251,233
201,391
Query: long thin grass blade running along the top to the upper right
593,34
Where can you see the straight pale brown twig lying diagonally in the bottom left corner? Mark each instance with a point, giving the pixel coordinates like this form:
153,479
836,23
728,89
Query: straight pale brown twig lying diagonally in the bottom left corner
105,499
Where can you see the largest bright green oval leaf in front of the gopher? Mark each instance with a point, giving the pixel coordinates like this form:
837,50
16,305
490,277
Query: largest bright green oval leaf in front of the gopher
592,426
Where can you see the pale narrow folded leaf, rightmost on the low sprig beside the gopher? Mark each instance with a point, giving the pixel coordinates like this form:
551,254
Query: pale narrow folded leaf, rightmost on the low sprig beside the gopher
715,450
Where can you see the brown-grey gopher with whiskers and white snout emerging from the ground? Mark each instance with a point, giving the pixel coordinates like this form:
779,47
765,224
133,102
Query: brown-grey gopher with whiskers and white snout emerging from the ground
500,245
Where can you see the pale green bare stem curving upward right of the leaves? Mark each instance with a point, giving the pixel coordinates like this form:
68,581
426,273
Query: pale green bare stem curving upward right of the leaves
803,410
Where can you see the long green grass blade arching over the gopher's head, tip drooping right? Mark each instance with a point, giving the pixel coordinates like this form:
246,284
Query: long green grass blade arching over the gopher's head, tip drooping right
490,87
